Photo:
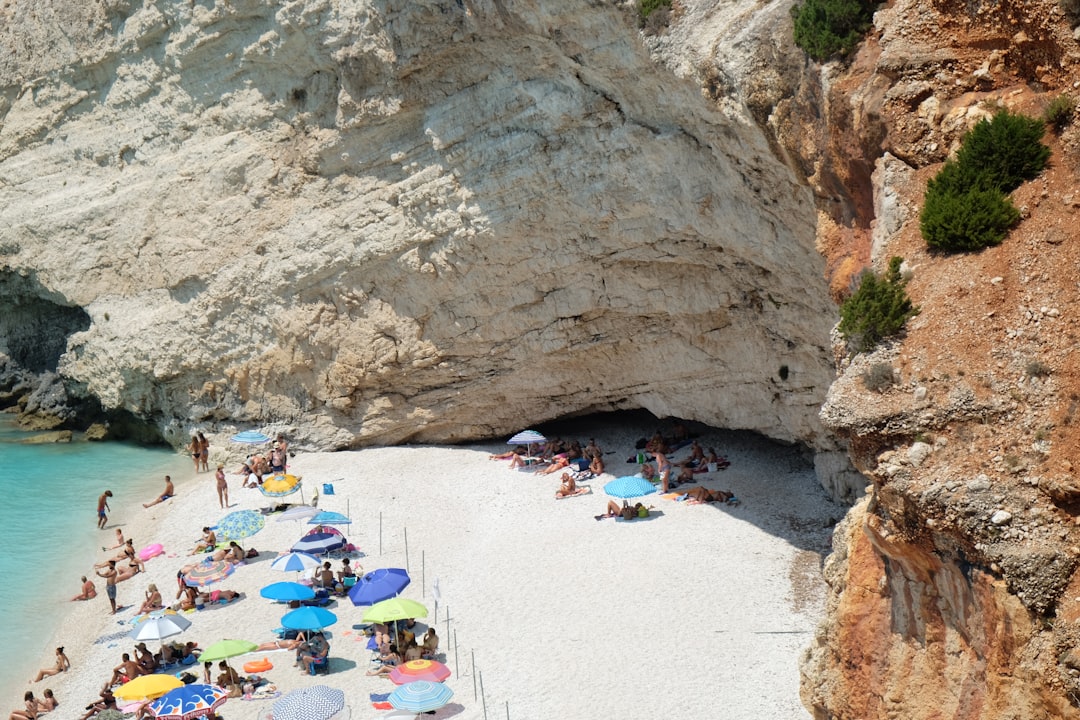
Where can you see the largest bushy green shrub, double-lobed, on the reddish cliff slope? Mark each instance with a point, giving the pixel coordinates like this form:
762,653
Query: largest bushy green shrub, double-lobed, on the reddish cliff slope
966,207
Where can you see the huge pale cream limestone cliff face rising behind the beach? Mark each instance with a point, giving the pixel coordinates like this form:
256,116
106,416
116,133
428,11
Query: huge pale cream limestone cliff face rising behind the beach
391,222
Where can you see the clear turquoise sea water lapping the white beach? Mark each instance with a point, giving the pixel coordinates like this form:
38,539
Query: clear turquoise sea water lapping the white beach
50,529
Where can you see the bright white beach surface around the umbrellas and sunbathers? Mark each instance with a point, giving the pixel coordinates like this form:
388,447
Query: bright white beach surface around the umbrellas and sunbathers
698,613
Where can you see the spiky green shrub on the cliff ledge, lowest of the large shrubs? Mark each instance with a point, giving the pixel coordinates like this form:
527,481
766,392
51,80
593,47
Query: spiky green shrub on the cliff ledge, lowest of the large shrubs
877,309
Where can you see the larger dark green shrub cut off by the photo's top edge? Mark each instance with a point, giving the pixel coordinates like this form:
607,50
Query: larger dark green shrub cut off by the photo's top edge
825,29
